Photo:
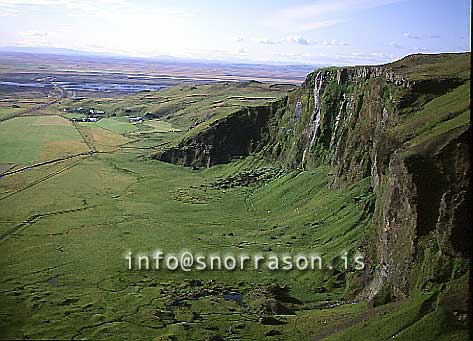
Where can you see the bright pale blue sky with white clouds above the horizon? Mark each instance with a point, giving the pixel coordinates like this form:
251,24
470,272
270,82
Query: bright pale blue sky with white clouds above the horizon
336,32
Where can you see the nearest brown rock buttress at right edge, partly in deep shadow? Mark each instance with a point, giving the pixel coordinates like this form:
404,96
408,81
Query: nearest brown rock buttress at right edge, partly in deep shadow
423,224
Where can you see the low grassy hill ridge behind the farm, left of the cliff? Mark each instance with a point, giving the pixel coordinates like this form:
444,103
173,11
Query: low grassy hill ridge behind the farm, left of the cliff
187,105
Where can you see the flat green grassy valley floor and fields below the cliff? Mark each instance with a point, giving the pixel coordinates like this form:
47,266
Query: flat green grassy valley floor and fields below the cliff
67,225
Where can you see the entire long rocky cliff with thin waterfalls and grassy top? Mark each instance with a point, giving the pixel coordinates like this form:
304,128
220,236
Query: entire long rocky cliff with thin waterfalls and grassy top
380,122
